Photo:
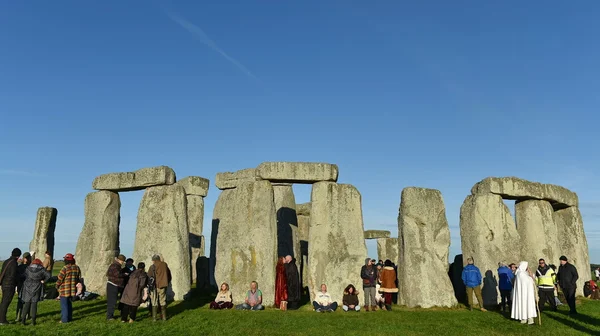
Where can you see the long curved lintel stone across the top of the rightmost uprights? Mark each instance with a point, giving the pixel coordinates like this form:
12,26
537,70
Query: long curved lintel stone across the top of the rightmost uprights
518,189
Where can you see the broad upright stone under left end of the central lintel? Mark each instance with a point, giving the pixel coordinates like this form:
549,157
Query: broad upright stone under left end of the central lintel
246,241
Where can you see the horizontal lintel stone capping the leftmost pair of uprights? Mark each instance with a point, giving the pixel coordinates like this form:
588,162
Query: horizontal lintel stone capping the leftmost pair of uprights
137,180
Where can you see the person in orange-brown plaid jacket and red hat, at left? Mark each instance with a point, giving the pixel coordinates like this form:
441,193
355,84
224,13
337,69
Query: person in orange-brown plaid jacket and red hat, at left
67,281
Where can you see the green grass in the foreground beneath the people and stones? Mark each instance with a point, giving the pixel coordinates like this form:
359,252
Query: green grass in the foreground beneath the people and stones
194,317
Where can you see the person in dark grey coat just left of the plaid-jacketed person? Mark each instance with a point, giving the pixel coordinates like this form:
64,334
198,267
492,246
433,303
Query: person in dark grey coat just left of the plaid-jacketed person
35,277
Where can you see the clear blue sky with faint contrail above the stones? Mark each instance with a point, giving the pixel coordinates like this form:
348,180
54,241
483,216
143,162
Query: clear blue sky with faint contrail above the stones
433,94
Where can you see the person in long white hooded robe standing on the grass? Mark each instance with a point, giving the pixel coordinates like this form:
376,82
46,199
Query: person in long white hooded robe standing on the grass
523,295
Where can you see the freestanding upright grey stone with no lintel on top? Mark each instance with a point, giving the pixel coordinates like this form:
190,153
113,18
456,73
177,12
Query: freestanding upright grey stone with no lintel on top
425,239
